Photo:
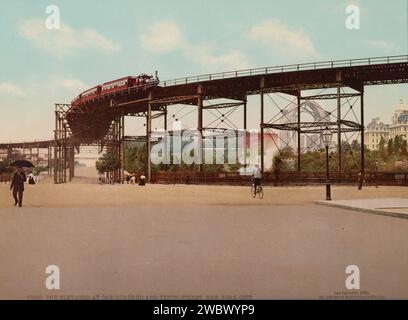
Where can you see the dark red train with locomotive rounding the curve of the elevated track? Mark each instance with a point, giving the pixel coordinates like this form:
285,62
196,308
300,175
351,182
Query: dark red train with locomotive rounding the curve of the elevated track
142,80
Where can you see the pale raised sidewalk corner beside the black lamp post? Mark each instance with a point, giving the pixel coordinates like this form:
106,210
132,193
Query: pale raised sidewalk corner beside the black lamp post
394,207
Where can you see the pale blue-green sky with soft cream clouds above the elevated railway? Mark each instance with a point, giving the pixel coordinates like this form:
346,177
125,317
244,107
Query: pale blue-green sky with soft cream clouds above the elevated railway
100,41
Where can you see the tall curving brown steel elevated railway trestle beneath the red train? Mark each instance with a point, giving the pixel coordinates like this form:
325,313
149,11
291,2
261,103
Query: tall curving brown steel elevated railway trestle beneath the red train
100,120
